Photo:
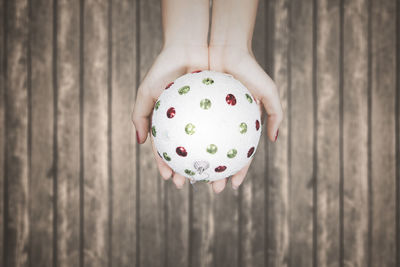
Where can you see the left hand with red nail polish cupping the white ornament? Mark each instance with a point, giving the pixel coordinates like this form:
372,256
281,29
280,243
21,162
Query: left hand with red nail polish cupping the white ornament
173,61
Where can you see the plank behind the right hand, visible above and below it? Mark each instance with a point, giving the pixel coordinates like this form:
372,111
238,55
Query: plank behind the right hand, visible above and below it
251,193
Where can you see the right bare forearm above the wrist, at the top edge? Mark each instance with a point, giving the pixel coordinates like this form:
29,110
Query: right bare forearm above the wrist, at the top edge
233,23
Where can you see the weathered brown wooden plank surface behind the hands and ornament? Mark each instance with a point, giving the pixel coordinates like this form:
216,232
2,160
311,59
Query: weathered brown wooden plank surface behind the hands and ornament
75,189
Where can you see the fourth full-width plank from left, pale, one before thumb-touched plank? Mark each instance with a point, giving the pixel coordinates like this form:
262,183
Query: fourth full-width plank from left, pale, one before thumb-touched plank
95,134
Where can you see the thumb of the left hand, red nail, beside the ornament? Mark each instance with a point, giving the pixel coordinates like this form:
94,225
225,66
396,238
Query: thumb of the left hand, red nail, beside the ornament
141,113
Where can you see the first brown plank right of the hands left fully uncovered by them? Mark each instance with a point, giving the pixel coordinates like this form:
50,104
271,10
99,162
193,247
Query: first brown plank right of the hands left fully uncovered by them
301,131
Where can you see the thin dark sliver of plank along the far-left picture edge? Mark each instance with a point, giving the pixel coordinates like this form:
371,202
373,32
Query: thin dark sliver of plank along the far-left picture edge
2,131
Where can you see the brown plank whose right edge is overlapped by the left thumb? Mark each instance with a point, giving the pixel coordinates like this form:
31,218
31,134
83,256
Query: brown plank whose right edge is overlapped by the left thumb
123,134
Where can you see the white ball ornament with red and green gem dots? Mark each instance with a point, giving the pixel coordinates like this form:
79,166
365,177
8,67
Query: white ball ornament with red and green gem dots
206,125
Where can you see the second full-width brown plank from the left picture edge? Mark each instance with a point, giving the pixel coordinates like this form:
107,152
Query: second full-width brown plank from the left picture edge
41,171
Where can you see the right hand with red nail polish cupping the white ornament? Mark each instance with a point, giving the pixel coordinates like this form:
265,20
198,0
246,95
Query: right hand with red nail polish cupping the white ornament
240,62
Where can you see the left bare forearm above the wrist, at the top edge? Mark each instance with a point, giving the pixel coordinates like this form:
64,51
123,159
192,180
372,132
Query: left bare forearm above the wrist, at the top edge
185,22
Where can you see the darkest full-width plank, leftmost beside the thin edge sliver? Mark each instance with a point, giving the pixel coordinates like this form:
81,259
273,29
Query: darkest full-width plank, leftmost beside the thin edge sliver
16,139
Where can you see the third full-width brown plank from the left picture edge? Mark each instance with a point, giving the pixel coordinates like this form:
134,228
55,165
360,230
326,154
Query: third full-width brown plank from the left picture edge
68,149
